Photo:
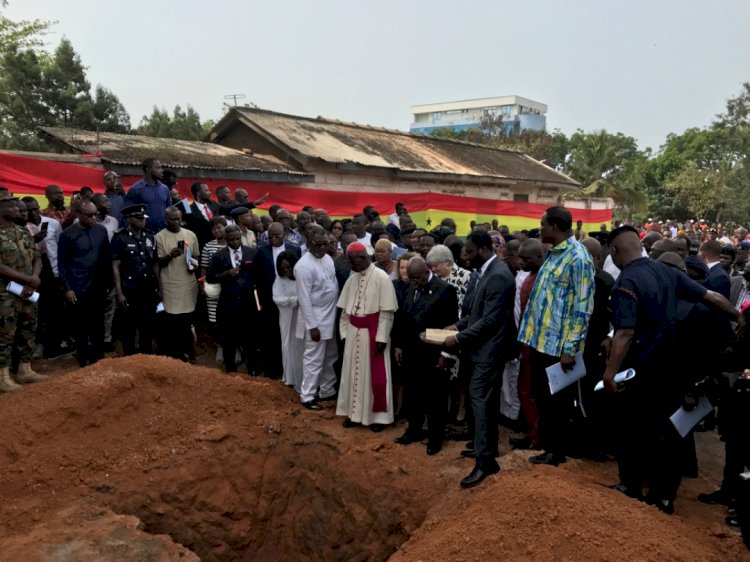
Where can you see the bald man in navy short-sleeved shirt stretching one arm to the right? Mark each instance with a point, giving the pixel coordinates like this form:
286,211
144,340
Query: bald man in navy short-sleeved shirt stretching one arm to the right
644,314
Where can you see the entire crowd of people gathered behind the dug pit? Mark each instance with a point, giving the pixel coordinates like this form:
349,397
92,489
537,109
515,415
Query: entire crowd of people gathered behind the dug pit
339,311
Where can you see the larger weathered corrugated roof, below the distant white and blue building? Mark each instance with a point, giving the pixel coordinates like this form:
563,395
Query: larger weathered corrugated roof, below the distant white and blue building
338,142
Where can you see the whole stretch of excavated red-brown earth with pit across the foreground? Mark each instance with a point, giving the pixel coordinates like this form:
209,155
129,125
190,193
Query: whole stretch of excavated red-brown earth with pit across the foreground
146,458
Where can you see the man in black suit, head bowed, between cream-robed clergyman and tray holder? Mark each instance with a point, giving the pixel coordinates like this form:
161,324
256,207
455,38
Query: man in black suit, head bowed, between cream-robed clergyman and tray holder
430,303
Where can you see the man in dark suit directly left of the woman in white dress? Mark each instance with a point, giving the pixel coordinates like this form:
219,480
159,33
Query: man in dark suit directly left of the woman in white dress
269,314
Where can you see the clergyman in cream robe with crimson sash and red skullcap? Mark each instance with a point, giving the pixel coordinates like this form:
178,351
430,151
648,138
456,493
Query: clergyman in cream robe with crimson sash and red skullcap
368,303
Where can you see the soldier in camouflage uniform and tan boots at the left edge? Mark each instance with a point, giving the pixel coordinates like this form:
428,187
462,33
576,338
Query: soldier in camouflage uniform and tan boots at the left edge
19,262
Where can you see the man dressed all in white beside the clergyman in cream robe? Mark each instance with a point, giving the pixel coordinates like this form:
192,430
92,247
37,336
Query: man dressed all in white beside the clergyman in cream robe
318,292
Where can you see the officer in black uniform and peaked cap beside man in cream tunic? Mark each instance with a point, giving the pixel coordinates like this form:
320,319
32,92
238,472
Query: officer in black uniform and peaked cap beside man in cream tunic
136,274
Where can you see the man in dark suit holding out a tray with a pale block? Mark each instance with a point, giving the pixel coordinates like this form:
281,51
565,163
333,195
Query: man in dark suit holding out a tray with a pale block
488,339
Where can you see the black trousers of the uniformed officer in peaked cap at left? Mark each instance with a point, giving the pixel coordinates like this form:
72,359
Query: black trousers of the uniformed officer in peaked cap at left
137,320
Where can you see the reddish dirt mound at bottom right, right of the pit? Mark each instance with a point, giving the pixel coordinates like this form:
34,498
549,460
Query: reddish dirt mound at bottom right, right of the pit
553,514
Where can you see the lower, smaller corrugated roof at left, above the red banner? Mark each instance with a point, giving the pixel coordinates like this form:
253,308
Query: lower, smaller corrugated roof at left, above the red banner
173,153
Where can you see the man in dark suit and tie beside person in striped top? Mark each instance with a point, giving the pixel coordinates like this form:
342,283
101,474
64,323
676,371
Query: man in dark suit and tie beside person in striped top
236,313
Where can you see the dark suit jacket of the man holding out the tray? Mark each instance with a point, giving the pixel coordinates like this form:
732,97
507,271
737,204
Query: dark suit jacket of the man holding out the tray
488,334
